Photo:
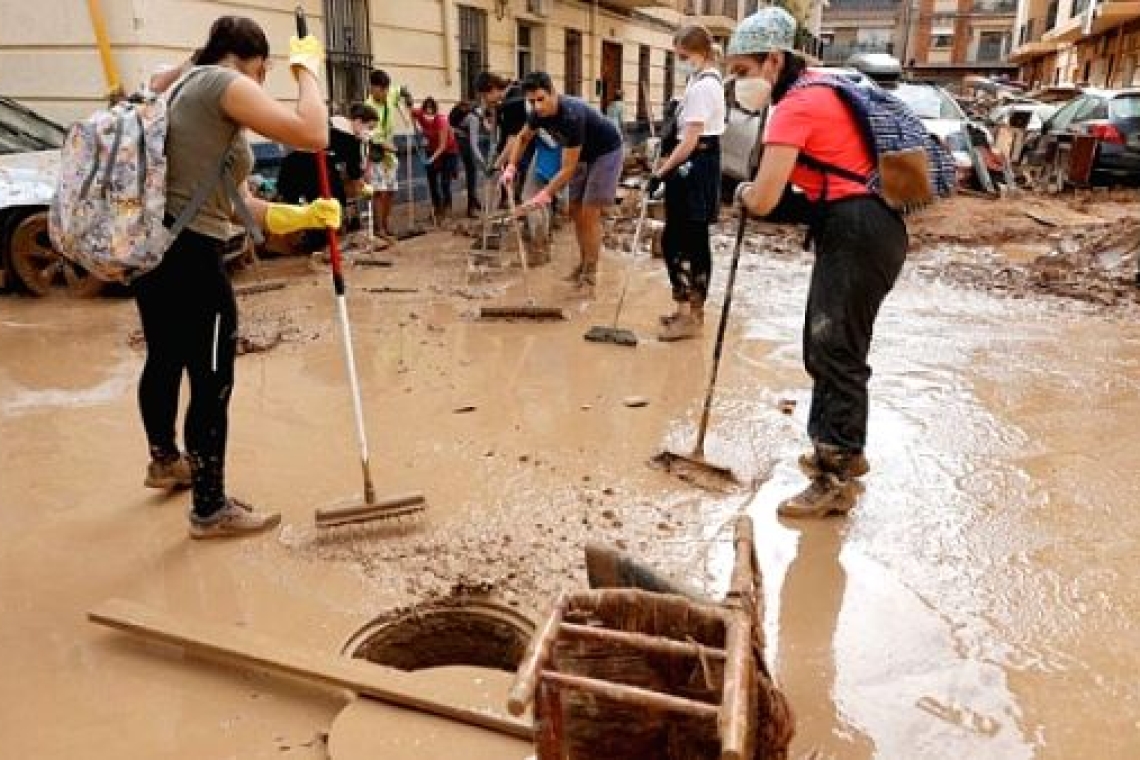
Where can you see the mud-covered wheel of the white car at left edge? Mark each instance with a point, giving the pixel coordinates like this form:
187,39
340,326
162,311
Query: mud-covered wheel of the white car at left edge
40,268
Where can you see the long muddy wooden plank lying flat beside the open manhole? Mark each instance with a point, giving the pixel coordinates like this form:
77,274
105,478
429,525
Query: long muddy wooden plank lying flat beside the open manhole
250,650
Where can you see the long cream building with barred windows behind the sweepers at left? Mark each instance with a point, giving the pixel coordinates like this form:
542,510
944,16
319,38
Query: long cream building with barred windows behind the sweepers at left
593,48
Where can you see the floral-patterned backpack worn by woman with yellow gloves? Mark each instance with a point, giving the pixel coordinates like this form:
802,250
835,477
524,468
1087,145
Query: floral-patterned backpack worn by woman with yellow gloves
111,199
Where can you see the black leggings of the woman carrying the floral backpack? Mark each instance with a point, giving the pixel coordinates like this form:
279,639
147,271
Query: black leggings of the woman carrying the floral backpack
190,321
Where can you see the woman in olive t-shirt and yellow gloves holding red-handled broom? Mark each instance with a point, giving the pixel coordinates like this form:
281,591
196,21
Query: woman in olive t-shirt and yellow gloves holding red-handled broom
186,304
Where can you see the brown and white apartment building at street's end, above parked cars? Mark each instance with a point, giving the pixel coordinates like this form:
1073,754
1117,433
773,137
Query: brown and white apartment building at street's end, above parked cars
948,40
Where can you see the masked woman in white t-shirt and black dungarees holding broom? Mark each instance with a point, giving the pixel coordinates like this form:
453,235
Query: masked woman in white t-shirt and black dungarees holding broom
691,175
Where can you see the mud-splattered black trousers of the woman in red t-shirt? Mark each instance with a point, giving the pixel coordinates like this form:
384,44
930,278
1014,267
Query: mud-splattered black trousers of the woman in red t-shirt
860,249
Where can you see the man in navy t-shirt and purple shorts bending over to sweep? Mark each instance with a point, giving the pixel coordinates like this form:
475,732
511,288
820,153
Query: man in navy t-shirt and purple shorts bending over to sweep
592,161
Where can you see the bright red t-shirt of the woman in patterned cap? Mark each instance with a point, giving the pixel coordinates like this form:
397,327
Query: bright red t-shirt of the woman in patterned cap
817,121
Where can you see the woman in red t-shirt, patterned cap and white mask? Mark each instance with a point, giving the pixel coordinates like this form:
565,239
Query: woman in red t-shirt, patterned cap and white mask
860,246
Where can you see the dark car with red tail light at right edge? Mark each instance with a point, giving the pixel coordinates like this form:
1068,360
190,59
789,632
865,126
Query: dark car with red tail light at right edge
1112,117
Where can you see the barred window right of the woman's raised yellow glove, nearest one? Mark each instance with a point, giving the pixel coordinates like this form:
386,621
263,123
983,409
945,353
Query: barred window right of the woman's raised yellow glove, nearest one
348,60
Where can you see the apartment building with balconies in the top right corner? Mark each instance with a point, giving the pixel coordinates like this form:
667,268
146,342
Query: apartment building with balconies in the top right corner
1079,43
